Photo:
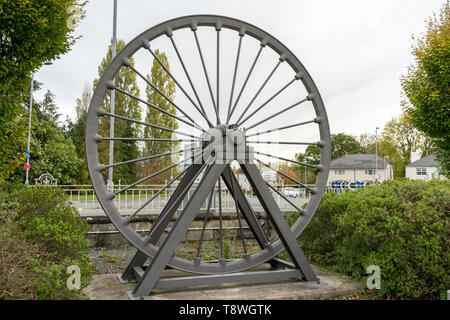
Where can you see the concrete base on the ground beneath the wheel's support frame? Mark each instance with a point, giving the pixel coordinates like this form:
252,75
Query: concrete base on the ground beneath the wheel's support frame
108,287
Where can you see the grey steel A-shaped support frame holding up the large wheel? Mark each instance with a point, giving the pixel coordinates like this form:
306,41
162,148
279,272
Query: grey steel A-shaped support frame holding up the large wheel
150,279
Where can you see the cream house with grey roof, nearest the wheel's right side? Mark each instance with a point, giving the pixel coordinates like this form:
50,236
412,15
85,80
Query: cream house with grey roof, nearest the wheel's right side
360,167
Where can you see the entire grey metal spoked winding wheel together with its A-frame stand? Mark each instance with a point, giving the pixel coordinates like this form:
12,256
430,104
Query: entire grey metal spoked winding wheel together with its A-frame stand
225,139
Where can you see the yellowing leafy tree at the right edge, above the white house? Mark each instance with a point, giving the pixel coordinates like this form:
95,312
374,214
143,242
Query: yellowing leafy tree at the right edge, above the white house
426,85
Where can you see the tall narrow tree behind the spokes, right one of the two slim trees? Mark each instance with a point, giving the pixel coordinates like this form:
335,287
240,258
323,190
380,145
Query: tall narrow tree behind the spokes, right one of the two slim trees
161,80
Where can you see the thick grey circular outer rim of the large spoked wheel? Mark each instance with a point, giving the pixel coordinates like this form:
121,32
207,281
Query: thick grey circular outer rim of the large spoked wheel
242,29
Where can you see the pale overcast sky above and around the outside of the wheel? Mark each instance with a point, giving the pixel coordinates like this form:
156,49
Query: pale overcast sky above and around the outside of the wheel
356,51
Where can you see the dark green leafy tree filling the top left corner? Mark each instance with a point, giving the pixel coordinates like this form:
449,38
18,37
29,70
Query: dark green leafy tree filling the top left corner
32,32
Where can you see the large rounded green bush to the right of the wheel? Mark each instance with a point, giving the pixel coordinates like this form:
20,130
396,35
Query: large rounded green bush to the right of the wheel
401,226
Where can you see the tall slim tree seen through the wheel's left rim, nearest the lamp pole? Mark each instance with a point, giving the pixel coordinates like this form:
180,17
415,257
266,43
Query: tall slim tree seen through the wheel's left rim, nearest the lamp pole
124,106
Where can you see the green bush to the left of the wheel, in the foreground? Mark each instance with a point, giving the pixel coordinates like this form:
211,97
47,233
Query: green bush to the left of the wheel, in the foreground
43,218
